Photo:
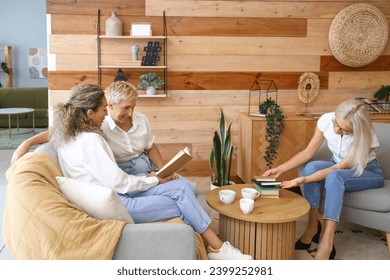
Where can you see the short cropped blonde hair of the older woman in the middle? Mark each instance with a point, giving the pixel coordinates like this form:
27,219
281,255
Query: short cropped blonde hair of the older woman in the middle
116,92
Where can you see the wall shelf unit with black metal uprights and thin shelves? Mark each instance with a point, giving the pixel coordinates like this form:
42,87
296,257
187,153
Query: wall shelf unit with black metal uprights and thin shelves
112,61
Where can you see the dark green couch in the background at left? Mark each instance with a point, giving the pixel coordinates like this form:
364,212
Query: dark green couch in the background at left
36,98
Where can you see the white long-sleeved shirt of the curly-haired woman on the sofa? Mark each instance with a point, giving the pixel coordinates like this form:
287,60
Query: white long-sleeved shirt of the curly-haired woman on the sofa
89,158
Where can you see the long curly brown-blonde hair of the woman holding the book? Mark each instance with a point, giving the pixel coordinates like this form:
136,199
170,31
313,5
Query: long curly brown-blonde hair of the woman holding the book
70,119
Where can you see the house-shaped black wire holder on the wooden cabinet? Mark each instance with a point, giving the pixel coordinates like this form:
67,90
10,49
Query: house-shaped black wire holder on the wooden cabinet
260,91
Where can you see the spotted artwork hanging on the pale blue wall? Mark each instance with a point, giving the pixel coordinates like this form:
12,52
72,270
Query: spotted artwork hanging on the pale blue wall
37,63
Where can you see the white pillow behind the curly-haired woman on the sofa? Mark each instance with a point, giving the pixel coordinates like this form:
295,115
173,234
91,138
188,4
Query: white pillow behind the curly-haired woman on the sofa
97,201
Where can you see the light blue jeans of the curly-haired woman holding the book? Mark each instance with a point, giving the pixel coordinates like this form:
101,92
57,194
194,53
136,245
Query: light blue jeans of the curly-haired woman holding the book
172,199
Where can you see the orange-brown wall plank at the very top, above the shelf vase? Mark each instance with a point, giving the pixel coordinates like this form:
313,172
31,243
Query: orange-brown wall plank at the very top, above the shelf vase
88,7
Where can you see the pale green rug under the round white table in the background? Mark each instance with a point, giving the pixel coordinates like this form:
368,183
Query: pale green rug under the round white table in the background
17,137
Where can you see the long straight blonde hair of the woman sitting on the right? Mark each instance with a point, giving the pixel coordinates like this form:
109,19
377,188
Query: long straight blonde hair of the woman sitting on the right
358,118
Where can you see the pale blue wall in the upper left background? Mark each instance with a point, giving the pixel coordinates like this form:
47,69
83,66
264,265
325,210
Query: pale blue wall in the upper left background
22,26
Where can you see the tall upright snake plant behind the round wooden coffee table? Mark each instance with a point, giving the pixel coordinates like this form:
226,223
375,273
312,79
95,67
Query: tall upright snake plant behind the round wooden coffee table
221,154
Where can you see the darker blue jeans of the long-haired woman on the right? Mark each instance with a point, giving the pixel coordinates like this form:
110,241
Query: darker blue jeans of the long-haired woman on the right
336,183
